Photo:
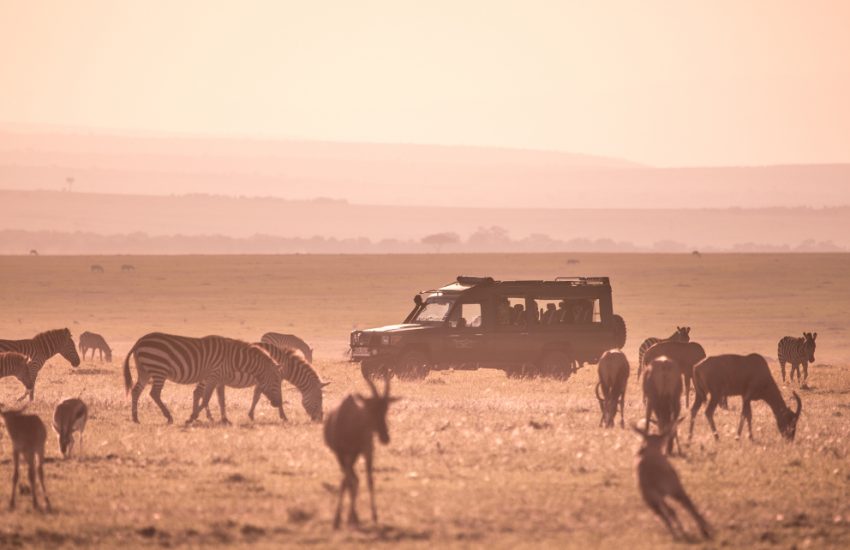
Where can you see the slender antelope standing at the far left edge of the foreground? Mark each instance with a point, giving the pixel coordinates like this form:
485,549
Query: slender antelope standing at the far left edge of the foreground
28,436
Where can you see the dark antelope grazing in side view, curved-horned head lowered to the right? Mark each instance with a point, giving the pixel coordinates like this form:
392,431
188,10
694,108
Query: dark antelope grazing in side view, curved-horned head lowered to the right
748,376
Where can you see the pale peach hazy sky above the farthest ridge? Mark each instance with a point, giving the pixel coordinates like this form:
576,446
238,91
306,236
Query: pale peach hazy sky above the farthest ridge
660,82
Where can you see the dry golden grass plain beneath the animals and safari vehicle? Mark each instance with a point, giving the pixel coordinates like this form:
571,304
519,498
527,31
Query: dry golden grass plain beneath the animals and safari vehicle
476,459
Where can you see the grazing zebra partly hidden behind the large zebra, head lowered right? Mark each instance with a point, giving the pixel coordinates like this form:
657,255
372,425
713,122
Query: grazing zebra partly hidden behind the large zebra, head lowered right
292,369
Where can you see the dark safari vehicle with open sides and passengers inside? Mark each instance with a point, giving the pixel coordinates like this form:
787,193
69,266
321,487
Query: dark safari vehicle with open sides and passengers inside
526,328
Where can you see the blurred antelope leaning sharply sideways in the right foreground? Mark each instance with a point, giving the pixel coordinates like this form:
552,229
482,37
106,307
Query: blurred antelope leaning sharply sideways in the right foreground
657,480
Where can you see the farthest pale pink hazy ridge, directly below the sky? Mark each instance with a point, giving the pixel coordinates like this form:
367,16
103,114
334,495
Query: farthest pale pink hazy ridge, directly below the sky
385,174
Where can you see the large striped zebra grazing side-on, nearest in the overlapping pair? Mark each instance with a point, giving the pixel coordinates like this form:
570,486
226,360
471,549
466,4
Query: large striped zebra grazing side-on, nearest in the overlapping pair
205,362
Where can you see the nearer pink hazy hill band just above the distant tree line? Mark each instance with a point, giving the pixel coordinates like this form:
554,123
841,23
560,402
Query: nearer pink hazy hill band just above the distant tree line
230,217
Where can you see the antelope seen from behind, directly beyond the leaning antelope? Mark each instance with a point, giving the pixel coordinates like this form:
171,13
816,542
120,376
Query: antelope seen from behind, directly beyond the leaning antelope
662,390
